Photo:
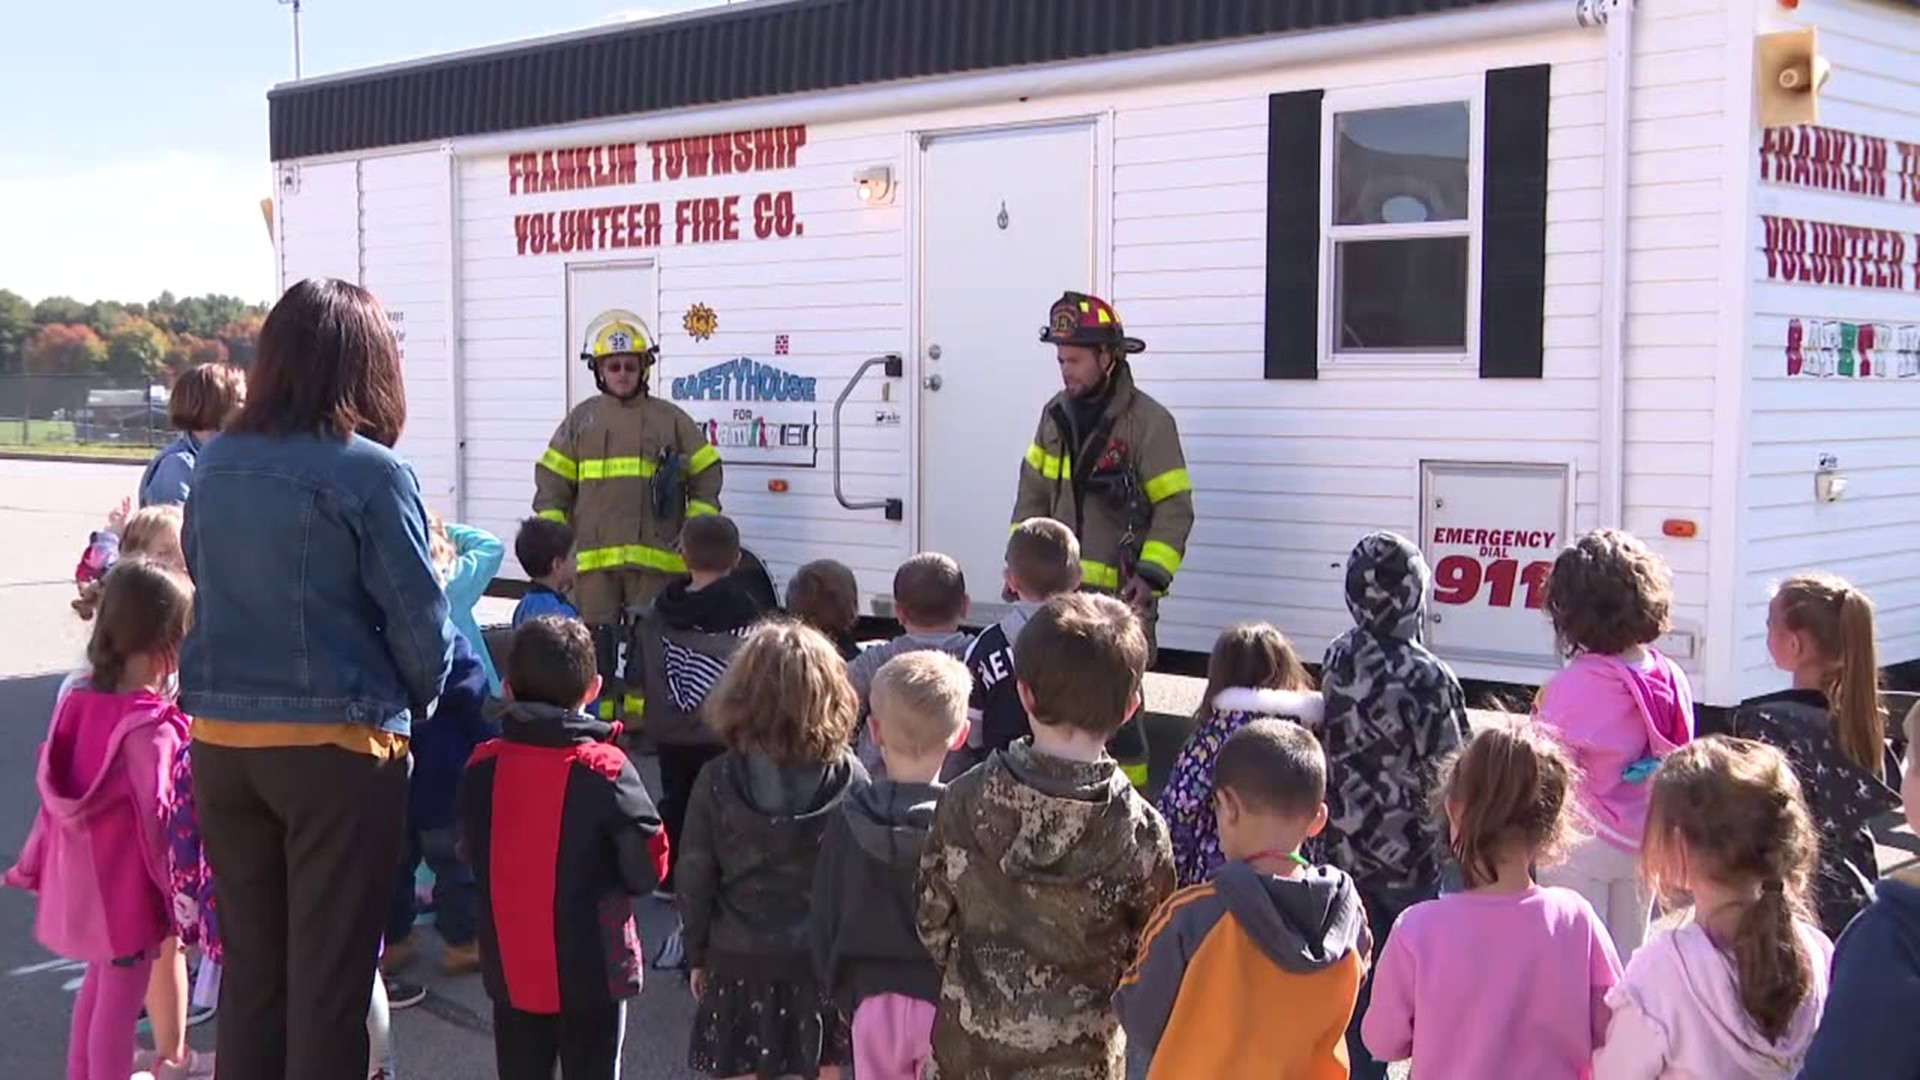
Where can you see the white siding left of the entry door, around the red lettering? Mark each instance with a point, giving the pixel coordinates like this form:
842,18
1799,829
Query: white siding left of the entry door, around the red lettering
838,293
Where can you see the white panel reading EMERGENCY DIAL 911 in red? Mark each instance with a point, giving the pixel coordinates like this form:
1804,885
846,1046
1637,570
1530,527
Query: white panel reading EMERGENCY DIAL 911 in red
1491,533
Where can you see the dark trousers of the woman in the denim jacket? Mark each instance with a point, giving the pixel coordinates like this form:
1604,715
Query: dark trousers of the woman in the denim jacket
302,845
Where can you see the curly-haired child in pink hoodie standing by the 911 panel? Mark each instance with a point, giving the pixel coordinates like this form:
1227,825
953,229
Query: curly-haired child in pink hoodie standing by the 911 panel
1620,708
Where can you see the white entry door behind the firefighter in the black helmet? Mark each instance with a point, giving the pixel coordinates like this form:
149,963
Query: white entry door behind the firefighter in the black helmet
1007,224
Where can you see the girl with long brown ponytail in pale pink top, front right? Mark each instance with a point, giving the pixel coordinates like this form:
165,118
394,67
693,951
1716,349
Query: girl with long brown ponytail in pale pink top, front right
1737,991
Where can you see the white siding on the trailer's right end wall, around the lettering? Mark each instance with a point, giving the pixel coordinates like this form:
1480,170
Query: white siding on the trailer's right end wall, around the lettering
1871,426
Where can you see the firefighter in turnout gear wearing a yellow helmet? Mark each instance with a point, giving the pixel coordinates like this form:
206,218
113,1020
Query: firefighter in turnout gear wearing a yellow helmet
625,470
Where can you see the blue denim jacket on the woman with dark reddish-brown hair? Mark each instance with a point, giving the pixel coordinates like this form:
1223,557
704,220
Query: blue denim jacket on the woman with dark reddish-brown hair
316,595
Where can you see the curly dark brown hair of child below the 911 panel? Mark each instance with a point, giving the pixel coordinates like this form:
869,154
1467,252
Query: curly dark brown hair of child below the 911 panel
1608,595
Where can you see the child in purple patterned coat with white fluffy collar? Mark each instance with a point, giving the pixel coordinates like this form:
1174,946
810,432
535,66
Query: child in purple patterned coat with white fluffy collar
1253,674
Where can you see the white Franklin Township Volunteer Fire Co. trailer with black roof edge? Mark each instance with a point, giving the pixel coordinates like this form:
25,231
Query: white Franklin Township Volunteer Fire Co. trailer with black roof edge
1489,274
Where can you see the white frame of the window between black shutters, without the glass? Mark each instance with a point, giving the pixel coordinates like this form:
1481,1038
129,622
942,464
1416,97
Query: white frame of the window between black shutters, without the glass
1470,93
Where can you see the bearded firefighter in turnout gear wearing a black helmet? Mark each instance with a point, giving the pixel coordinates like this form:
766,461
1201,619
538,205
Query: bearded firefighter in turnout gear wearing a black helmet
1107,460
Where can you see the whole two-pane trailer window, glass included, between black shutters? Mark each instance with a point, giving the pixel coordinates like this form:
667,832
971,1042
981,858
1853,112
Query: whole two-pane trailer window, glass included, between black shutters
1401,218
